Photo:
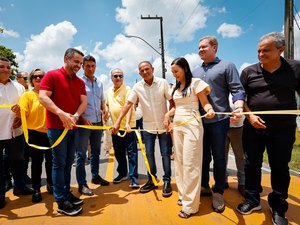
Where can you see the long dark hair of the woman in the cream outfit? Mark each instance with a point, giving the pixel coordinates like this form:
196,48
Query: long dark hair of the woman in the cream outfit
183,63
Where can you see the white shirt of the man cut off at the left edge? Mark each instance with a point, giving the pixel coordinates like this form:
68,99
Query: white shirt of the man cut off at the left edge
9,94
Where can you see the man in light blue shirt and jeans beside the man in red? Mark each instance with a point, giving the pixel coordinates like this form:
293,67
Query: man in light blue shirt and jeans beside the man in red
92,116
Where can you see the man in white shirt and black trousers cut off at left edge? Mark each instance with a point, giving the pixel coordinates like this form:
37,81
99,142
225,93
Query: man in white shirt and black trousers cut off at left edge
11,134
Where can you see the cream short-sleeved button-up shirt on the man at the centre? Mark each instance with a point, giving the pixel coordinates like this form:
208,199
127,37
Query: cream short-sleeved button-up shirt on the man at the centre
153,101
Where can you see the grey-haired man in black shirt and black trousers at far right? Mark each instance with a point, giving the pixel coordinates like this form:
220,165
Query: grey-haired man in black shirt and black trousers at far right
269,85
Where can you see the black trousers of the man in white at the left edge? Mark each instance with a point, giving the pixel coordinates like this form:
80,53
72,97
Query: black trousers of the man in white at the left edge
14,148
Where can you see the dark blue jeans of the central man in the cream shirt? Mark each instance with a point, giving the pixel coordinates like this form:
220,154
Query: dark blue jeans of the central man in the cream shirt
163,138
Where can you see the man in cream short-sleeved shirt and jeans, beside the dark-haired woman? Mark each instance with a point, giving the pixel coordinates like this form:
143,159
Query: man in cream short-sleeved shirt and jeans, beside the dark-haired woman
152,94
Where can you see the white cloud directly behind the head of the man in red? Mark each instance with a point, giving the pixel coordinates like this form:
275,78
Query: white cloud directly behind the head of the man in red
46,50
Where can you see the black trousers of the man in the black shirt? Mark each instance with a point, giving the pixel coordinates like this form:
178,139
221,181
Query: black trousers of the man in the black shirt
279,146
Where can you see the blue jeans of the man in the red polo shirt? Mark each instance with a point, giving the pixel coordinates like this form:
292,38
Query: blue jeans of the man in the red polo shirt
63,157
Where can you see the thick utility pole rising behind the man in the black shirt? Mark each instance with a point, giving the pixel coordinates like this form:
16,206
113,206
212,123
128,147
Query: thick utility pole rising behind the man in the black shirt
289,29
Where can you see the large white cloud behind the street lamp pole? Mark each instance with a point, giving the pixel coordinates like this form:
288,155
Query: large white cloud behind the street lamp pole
190,17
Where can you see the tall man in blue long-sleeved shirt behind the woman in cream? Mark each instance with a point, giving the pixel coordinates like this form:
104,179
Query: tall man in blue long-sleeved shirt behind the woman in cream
223,78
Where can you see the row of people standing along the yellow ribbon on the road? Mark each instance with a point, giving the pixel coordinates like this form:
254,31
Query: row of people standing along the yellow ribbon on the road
200,131
